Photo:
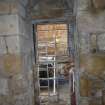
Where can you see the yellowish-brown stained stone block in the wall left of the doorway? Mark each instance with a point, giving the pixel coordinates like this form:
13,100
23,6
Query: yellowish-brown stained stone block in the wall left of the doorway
10,64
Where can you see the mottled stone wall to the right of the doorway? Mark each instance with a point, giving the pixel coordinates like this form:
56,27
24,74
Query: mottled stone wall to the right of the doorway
92,61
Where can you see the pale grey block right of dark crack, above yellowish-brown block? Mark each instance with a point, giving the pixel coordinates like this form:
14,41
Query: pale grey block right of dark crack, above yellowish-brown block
13,44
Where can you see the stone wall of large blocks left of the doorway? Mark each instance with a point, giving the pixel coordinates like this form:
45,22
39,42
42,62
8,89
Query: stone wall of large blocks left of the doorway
16,86
